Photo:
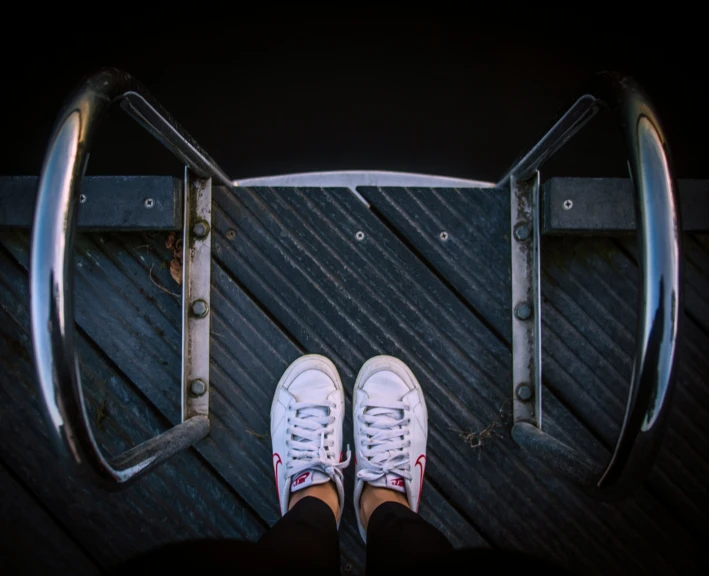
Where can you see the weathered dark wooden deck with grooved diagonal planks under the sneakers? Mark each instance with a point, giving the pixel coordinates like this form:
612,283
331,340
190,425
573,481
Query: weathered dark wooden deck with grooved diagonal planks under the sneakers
288,278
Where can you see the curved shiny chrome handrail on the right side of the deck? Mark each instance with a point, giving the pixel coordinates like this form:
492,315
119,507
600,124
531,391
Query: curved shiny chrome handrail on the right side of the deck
659,307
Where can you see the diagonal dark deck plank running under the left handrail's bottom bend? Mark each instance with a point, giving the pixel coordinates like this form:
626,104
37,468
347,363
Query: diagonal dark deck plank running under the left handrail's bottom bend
161,508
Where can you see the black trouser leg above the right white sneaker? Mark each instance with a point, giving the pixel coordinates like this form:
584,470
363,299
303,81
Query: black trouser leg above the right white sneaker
398,538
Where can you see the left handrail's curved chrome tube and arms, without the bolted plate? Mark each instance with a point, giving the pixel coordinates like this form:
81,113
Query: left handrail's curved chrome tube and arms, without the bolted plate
52,272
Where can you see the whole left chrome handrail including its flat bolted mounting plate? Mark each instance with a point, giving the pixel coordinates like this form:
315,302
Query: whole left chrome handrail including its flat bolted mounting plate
52,277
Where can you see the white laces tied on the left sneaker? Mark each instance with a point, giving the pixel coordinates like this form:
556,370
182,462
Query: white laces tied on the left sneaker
309,447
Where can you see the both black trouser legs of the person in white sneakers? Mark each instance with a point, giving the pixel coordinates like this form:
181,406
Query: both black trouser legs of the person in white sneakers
306,540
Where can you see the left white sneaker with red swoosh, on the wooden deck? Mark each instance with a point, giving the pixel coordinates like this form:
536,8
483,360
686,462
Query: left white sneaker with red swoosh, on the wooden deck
306,428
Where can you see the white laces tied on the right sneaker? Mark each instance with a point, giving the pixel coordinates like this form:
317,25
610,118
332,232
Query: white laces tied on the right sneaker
383,431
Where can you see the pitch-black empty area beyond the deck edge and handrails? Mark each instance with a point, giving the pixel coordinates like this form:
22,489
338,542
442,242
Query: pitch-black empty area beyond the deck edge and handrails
277,97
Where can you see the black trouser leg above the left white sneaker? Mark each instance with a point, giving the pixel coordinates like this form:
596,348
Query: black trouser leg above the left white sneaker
304,540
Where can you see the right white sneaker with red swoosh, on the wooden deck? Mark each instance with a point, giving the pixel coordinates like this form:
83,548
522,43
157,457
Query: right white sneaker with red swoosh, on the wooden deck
390,430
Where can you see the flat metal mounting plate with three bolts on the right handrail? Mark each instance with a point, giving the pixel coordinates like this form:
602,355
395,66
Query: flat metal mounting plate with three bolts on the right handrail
526,334
